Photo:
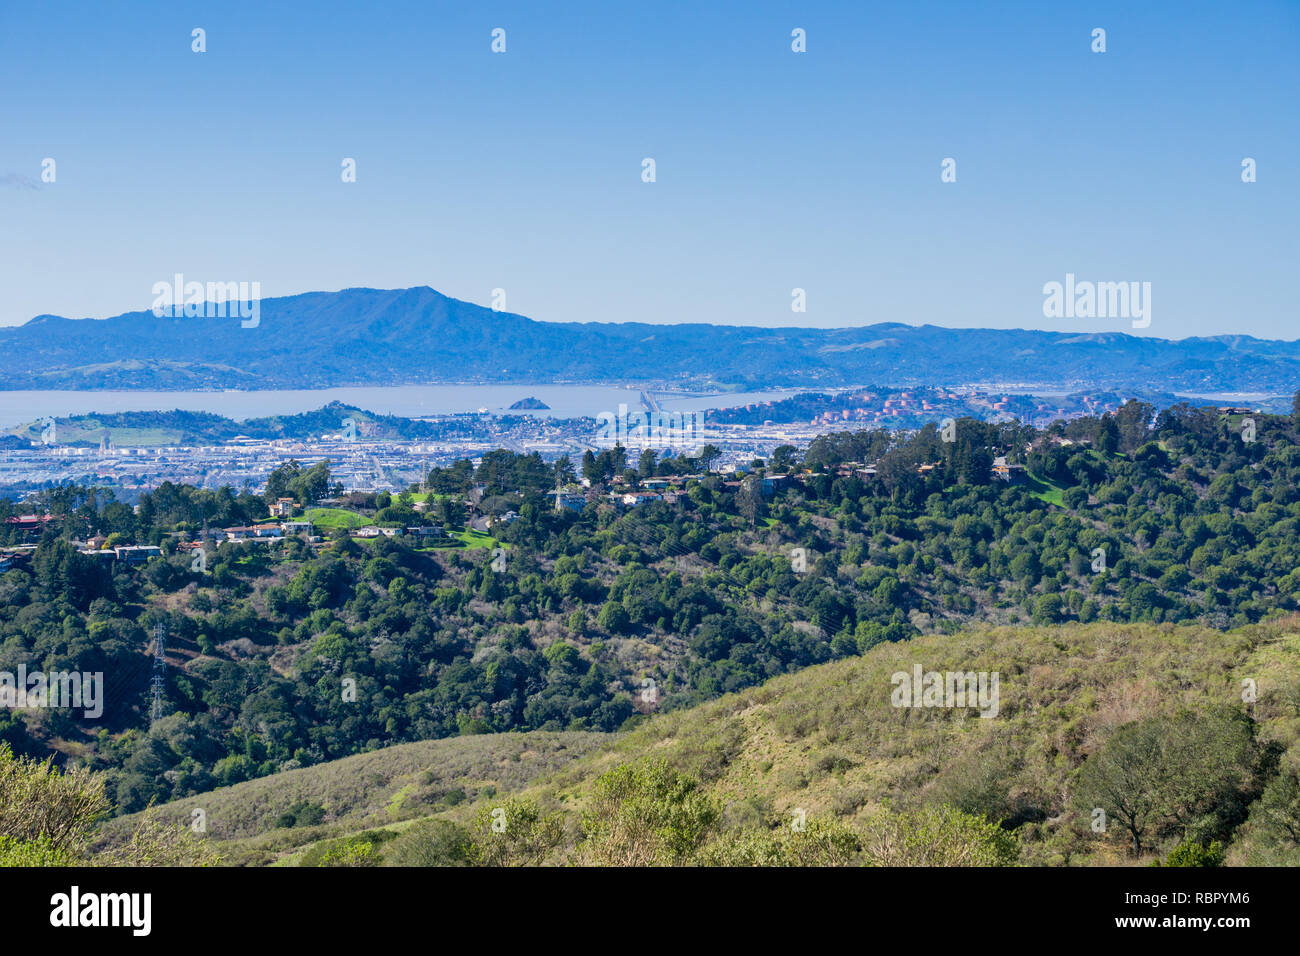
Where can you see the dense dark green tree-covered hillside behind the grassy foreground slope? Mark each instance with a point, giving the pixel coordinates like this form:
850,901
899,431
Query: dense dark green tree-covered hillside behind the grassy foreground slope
296,654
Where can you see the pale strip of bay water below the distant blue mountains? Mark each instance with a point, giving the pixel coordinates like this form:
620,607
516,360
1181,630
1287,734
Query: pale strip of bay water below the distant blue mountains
409,401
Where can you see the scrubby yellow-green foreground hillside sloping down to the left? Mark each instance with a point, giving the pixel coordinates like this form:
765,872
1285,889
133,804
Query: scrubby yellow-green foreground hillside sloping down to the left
829,742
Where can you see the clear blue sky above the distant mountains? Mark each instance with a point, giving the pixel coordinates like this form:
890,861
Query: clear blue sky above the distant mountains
774,170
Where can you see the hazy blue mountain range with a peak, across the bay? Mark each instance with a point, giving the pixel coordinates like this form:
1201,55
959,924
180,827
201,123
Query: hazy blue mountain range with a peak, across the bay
419,336
